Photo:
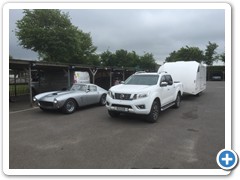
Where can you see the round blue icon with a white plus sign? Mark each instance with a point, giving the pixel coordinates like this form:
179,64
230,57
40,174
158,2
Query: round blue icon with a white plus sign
227,159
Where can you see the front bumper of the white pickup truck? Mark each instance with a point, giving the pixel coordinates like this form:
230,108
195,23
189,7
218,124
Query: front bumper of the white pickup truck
137,106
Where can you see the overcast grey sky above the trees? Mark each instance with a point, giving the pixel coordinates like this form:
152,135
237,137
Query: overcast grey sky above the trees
144,31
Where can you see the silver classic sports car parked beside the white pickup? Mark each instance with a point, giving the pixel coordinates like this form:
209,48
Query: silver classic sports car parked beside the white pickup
68,101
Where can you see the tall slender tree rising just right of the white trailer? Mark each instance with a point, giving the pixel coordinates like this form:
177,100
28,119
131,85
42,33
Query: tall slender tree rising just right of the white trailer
210,53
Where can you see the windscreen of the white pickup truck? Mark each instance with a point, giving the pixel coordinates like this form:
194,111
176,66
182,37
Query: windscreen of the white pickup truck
142,80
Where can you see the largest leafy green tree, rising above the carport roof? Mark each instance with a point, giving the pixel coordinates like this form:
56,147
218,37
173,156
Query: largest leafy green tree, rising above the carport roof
50,33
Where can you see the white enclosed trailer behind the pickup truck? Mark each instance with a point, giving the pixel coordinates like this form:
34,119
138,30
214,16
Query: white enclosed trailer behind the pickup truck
190,73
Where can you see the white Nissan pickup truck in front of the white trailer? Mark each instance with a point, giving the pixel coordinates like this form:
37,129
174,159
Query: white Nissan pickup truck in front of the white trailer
144,93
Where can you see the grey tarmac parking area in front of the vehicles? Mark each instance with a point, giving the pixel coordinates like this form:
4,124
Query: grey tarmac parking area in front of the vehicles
186,138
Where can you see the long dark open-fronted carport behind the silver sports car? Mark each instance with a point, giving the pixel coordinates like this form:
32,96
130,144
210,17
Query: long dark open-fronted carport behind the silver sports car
24,75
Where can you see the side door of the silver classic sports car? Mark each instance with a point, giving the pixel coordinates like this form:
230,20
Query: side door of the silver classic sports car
91,96
